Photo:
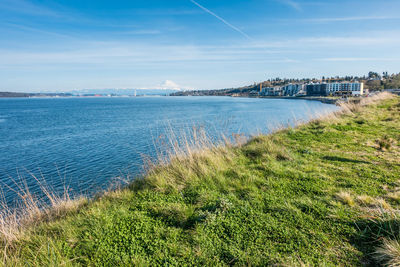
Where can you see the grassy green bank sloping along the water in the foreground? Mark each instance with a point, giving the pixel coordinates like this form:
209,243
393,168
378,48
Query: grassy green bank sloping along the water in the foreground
303,196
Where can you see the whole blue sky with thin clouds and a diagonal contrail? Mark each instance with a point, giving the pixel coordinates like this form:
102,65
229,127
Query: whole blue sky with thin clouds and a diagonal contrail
65,45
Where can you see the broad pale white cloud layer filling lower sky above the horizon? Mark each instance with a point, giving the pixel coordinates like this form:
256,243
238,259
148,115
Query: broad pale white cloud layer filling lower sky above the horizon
124,64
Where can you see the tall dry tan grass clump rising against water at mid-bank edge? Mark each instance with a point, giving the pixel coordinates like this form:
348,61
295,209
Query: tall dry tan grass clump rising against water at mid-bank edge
189,159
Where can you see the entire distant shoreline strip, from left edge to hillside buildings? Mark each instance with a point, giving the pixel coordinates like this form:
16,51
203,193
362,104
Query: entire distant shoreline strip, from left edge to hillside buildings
348,86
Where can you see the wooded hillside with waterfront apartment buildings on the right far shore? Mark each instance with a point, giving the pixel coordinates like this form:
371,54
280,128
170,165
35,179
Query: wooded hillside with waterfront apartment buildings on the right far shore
347,86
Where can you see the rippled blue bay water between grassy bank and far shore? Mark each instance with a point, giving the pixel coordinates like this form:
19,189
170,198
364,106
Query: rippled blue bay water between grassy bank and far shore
84,143
